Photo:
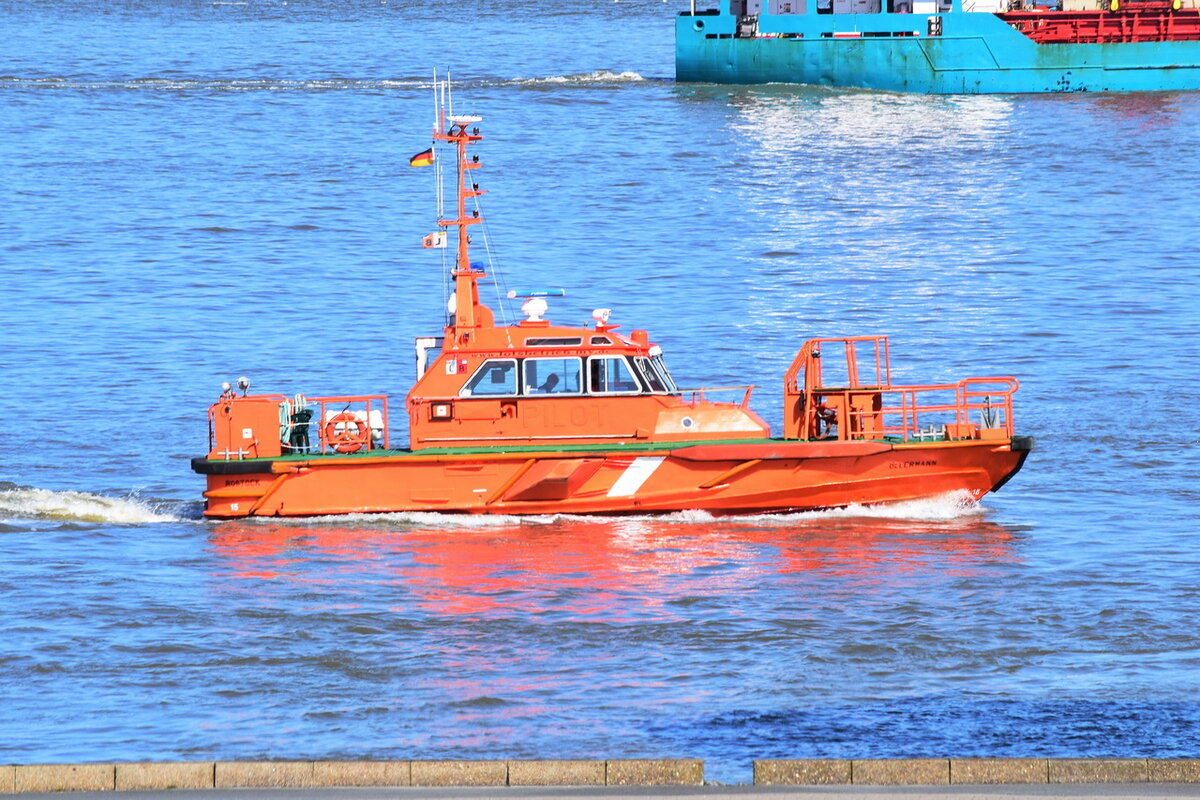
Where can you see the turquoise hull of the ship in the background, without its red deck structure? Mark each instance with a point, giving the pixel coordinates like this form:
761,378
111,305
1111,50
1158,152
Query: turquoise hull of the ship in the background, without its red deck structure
975,53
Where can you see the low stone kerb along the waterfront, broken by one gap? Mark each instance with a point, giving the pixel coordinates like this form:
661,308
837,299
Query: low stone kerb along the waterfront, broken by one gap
581,773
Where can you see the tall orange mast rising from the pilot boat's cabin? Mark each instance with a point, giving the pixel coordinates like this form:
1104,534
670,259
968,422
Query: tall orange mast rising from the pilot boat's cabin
469,312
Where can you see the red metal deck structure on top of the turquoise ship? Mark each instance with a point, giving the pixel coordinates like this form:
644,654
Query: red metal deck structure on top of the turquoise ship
1133,22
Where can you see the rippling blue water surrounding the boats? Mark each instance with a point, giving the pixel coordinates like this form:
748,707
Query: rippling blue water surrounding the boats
193,191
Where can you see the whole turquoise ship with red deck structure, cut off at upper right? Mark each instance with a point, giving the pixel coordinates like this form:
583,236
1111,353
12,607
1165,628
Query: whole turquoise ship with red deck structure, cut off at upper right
940,47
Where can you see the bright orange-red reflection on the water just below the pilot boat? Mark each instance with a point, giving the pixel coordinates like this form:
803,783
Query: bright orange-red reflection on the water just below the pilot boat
590,568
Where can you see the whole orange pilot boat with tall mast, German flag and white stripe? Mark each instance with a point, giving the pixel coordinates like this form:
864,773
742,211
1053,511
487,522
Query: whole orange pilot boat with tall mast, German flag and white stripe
536,419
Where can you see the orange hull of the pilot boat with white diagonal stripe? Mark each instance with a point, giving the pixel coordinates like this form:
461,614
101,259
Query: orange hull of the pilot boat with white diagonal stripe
722,479
